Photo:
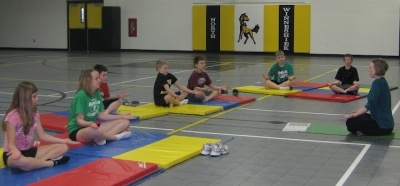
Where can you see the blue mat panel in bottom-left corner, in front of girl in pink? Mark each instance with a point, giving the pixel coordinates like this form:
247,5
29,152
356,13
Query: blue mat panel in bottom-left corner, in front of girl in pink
17,177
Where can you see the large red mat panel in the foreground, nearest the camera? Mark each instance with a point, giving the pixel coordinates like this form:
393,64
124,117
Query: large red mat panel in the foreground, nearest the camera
105,171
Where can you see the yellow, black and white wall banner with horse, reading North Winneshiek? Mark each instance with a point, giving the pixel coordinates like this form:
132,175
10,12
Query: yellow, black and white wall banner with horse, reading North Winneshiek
251,27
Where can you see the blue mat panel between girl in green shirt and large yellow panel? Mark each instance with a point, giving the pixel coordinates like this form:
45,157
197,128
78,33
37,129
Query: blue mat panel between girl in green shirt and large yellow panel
113,148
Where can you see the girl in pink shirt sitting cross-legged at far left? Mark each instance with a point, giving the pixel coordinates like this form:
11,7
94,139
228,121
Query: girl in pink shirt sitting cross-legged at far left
20,123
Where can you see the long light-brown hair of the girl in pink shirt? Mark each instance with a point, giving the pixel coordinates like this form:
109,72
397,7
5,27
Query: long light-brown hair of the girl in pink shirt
22,102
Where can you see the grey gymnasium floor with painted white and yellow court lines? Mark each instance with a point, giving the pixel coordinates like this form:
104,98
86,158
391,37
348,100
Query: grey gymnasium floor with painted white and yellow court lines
260,152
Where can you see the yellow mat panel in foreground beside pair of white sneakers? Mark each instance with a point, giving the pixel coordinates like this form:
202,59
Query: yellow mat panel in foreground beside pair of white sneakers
168,152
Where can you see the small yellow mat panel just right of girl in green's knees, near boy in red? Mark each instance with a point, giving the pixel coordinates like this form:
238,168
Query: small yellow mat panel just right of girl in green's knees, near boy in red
141,112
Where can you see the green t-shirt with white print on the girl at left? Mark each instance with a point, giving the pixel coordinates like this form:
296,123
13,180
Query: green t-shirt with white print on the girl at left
90,107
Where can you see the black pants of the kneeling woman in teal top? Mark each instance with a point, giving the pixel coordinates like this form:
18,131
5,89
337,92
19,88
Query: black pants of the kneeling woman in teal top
366,125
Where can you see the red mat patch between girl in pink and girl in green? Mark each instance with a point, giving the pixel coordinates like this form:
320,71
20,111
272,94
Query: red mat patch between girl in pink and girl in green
54,122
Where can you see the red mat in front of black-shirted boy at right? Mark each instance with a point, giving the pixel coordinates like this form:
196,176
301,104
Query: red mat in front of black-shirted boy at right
343,98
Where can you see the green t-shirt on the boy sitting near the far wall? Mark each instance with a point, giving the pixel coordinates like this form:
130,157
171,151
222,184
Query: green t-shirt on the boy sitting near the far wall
281,74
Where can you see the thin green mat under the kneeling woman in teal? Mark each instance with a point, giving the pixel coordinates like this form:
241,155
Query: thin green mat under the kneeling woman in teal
341,130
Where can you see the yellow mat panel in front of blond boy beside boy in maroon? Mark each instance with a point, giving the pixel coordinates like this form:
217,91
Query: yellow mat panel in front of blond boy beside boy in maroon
187,109
